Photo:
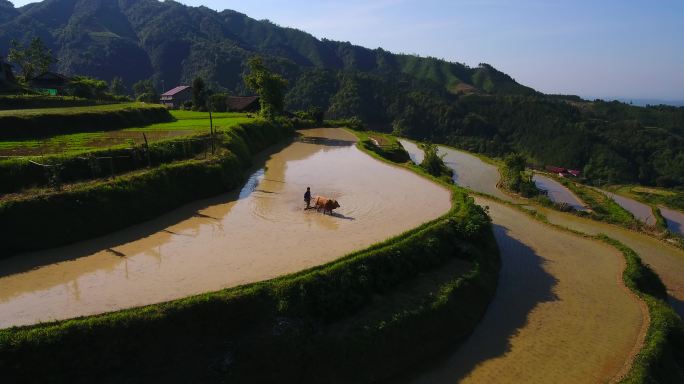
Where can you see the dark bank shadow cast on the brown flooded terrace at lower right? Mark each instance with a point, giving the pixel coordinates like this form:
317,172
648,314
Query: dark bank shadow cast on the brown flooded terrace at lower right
523,284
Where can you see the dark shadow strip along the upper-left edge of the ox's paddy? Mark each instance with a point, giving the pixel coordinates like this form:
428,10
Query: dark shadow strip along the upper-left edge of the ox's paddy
32,260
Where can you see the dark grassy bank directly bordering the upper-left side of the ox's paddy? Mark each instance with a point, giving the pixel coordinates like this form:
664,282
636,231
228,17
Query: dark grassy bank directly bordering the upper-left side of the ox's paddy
39,221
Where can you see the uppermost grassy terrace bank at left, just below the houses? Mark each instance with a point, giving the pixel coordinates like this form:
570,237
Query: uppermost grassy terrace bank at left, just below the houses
34,123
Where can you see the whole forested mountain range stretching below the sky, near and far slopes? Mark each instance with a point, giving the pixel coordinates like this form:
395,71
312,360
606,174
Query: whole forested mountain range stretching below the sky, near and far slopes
479,108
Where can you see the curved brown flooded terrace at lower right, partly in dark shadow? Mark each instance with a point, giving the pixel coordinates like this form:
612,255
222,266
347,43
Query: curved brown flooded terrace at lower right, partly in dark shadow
560,313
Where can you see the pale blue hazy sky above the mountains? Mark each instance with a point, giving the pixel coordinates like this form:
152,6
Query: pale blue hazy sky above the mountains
594,48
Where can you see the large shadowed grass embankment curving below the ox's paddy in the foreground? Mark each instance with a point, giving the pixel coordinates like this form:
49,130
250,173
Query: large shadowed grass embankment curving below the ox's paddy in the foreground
359,319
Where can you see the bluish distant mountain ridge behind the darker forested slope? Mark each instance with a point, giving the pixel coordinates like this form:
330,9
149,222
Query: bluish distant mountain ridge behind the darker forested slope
171,42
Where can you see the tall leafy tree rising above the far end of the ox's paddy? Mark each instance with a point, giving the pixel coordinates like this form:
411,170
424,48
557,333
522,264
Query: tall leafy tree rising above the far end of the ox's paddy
270,87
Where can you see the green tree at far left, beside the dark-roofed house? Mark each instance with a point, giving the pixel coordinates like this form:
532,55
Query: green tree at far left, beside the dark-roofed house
32,60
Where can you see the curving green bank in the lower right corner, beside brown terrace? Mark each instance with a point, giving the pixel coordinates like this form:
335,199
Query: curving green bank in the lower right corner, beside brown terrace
661,358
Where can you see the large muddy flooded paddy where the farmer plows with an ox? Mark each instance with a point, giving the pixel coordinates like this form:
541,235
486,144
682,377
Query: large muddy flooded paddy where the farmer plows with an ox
256,233
